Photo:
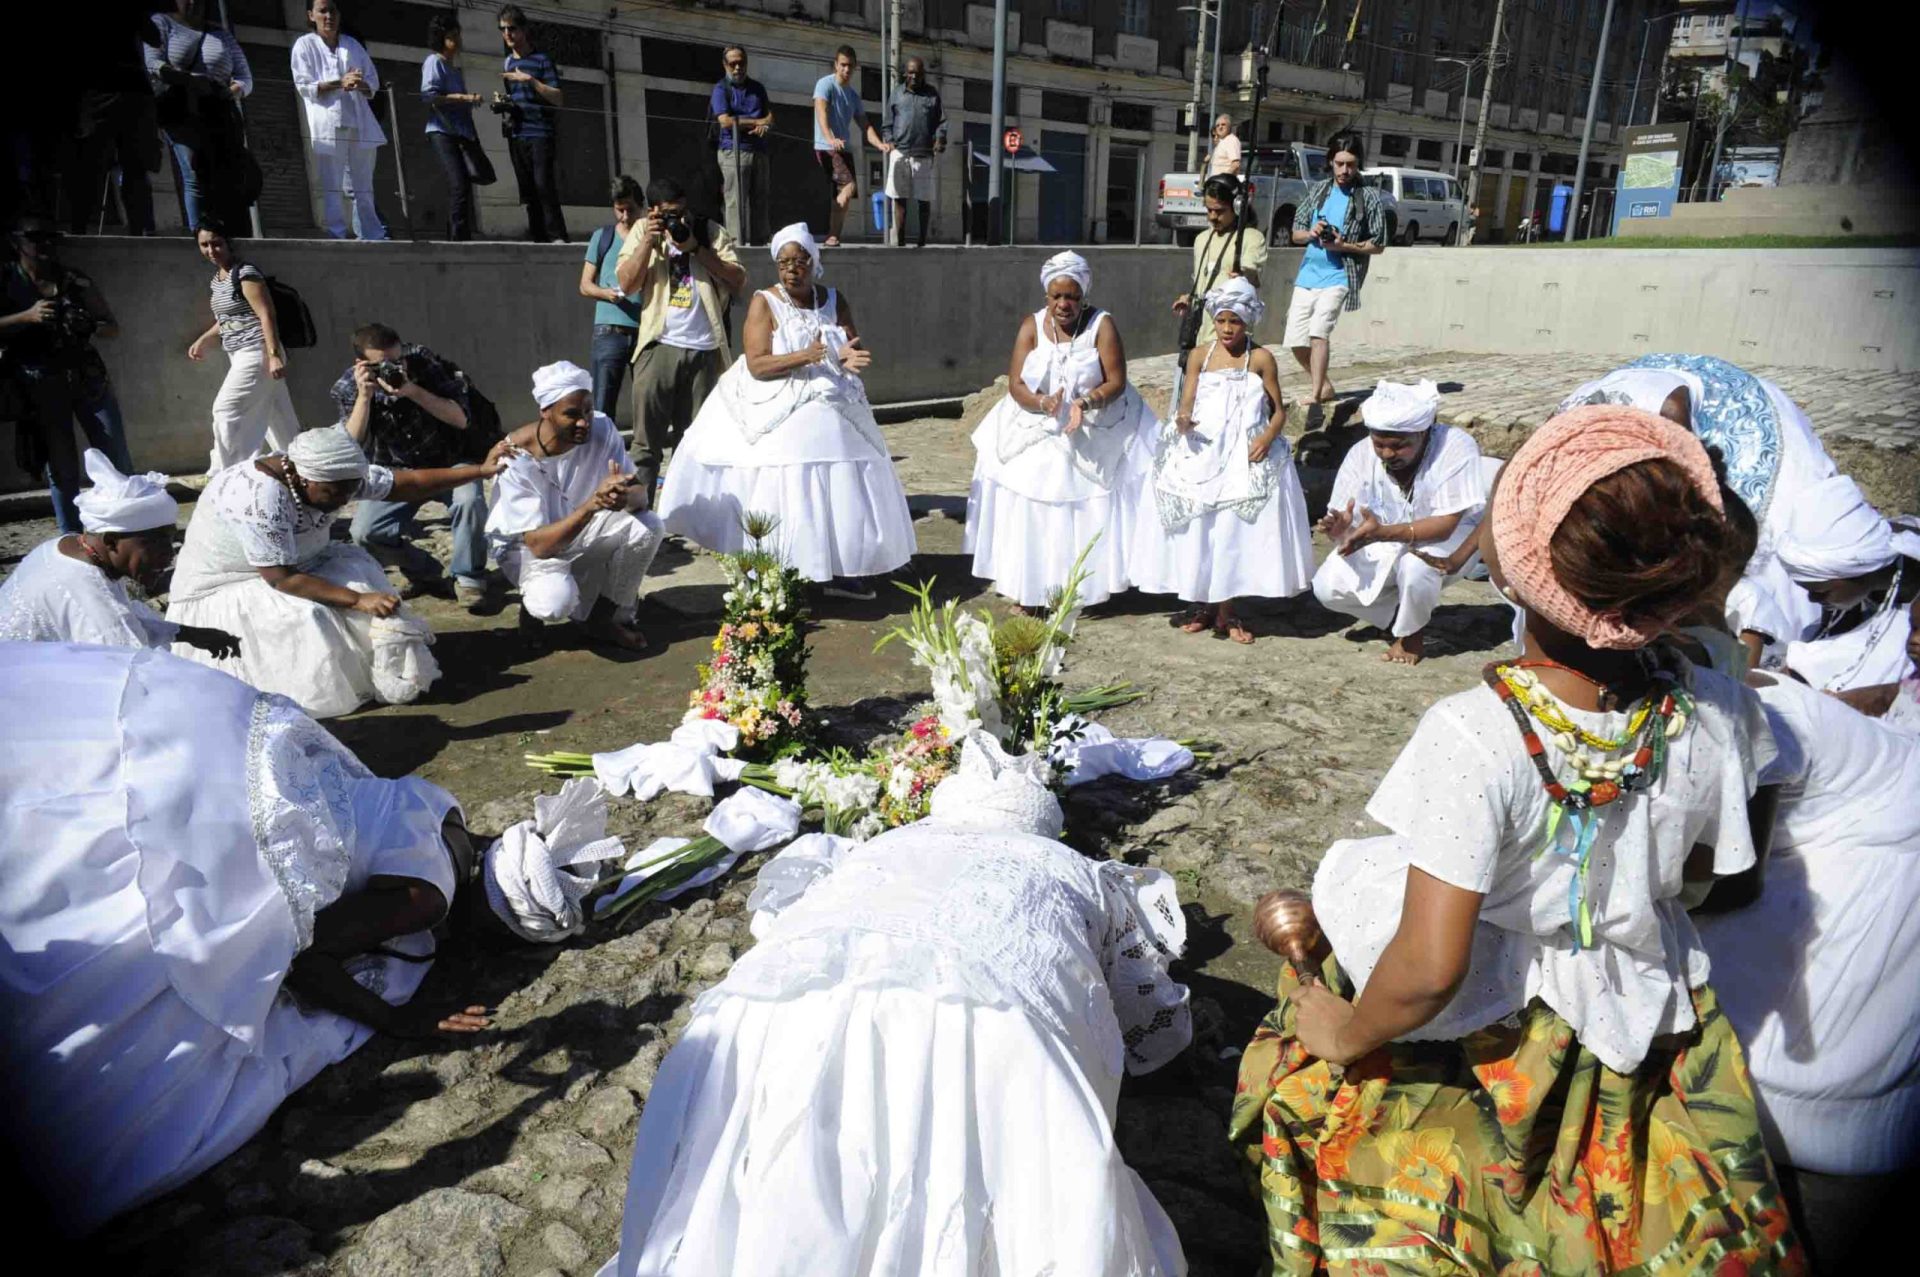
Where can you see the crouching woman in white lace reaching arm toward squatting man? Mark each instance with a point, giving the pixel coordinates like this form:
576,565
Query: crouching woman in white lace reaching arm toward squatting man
316,617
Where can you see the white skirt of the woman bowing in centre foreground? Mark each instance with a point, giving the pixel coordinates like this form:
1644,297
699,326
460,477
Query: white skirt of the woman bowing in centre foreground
861,1130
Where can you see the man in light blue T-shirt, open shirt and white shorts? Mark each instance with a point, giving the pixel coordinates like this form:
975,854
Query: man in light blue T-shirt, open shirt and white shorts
1341,224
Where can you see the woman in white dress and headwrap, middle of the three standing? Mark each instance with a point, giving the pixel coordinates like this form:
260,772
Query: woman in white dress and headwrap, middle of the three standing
1061,460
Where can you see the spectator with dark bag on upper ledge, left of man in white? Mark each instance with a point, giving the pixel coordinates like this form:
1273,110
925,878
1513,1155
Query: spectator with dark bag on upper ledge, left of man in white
197,76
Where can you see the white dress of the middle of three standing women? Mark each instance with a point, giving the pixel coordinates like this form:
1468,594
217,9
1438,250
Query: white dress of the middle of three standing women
1042,496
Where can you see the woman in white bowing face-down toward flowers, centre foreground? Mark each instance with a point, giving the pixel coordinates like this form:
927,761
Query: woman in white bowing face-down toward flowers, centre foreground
917,1067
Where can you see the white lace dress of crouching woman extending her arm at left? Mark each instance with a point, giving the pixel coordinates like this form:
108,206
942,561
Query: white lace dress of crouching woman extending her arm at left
325,660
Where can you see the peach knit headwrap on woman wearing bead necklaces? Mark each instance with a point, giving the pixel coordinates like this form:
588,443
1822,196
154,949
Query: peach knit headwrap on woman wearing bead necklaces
1554,470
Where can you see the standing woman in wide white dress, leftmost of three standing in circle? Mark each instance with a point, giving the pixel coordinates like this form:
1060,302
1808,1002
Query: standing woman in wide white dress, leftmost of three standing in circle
788,433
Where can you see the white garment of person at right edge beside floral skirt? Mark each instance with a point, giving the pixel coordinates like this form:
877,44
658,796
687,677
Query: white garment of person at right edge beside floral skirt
1819,975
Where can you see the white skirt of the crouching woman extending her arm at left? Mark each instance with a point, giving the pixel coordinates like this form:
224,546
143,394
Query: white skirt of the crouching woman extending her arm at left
327,660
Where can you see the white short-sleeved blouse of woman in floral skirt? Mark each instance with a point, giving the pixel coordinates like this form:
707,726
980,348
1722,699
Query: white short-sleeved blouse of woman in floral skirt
1466,806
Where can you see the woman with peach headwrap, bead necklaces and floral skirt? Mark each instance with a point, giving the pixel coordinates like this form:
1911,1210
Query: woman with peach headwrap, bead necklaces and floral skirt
1512,1059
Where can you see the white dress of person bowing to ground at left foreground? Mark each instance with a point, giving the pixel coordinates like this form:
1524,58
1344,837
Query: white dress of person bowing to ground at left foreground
166,840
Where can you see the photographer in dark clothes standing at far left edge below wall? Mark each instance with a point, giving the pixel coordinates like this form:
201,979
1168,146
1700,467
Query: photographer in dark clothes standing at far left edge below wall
49,324
